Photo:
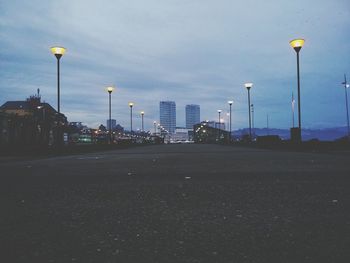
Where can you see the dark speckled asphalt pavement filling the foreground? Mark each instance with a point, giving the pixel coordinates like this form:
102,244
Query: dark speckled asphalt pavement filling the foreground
177,203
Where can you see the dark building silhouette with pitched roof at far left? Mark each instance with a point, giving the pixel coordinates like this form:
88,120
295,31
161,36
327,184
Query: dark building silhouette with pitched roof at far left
30,123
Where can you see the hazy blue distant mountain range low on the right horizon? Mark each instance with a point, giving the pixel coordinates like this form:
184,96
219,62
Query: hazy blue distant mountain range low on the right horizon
328,134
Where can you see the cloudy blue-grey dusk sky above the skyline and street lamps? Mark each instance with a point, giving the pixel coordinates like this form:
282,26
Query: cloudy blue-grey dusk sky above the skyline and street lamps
189,51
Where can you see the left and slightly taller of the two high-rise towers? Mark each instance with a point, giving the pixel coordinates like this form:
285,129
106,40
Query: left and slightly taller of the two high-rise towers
167,115
